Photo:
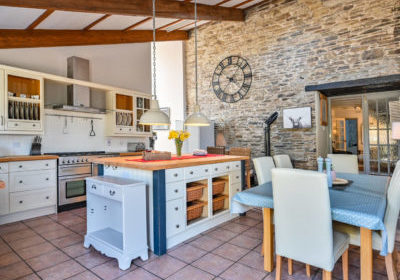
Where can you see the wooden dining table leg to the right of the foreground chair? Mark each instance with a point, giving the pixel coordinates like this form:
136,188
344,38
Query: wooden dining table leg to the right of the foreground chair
366,255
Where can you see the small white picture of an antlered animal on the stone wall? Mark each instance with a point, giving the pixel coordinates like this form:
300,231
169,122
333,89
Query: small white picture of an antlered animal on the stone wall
296,118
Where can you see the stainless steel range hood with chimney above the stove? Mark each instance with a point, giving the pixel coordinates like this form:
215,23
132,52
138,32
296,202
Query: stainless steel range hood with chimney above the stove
78,97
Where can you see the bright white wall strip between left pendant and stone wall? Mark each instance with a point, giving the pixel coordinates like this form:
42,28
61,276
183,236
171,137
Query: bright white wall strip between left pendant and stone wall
170,88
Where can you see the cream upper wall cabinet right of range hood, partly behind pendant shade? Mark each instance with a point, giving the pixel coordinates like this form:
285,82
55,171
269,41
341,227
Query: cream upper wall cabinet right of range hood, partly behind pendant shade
123,114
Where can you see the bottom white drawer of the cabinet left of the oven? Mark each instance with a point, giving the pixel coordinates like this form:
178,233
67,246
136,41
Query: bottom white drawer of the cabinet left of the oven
22,201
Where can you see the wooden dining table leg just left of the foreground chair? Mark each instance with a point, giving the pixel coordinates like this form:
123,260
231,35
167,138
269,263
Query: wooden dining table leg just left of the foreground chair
268,240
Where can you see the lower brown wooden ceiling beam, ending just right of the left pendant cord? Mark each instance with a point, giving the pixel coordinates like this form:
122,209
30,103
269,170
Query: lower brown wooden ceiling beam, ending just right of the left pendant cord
12,38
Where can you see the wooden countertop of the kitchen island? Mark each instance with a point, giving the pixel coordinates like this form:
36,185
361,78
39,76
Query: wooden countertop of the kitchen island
165,164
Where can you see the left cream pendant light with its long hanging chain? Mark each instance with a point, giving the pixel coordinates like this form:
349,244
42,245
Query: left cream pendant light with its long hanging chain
154,116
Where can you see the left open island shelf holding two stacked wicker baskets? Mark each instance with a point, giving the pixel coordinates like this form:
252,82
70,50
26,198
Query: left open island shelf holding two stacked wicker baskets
196,201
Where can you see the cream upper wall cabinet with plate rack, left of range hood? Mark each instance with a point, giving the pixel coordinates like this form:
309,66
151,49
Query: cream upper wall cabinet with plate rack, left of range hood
21,103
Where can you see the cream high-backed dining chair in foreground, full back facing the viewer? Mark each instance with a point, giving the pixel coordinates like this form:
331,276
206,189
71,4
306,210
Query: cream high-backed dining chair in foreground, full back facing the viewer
303,222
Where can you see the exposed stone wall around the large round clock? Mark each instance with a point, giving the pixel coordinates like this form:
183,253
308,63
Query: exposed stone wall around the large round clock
290,44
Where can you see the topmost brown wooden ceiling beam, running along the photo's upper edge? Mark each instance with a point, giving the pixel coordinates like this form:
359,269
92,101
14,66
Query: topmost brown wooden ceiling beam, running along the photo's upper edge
164,8
